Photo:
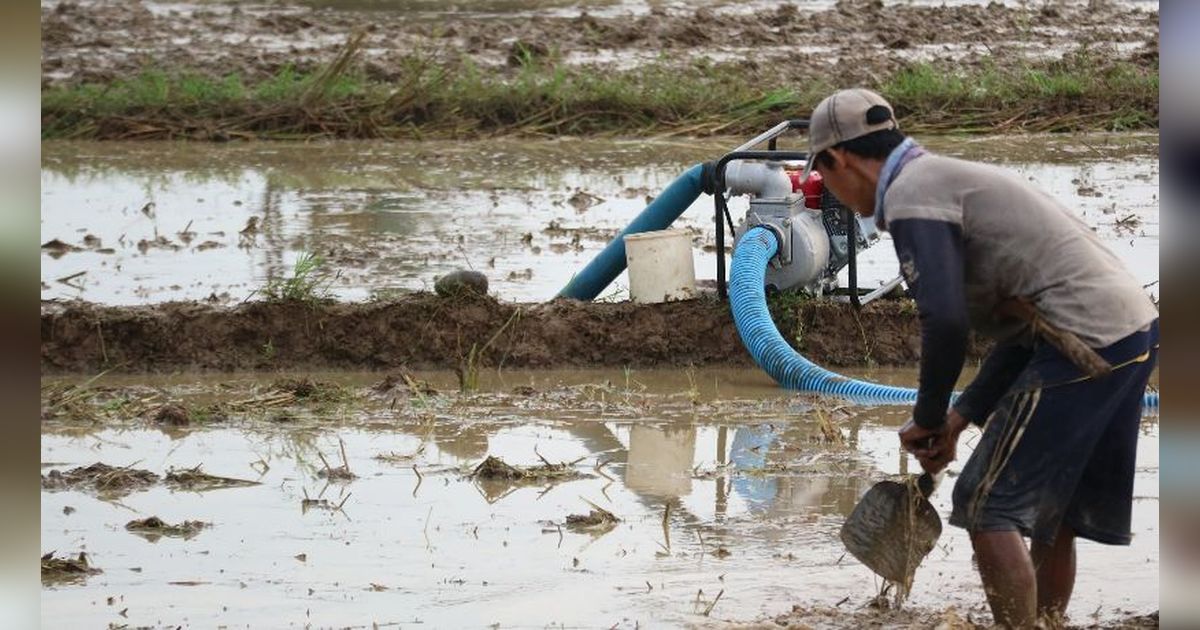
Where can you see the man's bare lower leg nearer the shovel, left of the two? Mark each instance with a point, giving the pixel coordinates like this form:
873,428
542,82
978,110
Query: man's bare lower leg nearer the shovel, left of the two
1009,578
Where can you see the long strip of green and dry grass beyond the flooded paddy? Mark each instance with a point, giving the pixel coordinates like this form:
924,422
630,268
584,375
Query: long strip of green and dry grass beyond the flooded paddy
464,100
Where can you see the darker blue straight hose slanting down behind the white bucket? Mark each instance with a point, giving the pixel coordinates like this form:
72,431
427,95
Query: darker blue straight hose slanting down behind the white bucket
659,215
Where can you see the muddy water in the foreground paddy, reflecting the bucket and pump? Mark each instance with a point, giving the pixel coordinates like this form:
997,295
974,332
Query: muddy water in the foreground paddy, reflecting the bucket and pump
755,503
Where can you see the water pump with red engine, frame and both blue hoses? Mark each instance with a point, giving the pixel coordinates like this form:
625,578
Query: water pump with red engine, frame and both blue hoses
796,236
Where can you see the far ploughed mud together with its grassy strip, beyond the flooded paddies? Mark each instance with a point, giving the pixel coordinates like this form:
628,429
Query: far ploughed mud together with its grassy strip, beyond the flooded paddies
410,71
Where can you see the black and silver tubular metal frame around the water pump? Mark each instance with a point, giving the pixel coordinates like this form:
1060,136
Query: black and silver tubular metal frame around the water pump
722,209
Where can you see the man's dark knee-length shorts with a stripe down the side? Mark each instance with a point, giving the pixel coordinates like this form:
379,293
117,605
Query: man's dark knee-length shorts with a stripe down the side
1060,449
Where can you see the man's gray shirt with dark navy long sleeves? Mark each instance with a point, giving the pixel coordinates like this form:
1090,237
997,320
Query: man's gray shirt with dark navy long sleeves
970,236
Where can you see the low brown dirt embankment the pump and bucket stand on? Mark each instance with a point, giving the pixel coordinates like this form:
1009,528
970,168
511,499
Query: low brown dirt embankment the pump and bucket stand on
427,332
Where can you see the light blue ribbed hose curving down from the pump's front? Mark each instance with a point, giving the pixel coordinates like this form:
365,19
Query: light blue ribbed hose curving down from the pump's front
748,299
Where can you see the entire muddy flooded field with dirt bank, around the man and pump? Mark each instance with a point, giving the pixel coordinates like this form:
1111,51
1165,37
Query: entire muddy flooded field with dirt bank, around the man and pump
379,457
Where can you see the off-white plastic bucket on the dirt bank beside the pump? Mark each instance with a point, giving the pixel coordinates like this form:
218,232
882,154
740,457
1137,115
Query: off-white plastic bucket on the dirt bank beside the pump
661,267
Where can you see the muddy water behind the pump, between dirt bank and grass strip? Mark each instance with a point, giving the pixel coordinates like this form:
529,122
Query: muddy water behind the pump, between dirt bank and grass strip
148,224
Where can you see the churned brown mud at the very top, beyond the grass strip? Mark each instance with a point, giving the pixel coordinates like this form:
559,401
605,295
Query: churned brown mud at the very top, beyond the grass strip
857,41
